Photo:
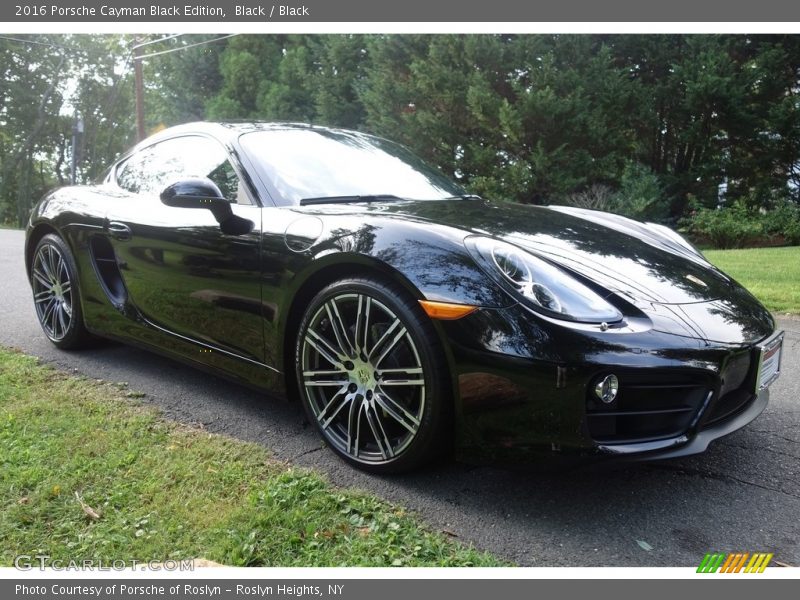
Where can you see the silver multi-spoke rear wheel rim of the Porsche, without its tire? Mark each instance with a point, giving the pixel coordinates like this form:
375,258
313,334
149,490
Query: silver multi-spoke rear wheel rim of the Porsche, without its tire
52,291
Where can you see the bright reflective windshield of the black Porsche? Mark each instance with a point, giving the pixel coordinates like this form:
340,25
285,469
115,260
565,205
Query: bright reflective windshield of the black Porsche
319,163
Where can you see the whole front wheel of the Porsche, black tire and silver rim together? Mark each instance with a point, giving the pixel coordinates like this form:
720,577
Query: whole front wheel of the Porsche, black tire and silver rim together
344,370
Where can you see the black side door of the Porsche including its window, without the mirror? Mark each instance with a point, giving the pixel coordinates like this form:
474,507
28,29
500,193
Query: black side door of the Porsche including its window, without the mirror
182,272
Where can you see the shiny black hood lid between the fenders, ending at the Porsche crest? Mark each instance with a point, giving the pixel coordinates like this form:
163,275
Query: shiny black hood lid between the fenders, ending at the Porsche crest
630,262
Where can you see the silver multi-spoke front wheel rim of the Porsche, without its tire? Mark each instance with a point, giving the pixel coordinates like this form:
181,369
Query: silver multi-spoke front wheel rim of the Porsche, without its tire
363,378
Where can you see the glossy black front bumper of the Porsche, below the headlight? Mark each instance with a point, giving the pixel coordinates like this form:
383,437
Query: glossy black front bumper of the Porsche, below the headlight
525,386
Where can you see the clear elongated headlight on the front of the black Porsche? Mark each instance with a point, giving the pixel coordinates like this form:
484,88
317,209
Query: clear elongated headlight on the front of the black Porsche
544,287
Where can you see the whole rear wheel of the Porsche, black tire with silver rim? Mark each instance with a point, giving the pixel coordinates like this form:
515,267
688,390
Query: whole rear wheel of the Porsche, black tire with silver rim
56,294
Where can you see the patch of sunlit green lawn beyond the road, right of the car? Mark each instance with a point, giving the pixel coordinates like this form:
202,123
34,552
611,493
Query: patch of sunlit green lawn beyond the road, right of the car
771,274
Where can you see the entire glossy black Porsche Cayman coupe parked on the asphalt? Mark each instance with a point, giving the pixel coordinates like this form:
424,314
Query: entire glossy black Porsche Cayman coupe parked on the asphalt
339,268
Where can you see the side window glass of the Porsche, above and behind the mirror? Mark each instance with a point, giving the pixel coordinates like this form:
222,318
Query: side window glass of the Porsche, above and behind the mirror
155,167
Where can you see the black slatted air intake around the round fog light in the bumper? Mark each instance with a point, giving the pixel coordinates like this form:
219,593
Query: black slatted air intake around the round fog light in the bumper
649,406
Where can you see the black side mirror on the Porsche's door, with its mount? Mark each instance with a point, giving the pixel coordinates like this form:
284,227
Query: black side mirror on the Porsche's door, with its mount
201,192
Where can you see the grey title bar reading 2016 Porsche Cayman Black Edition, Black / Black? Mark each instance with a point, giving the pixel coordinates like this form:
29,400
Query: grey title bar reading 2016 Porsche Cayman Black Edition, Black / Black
409,11
